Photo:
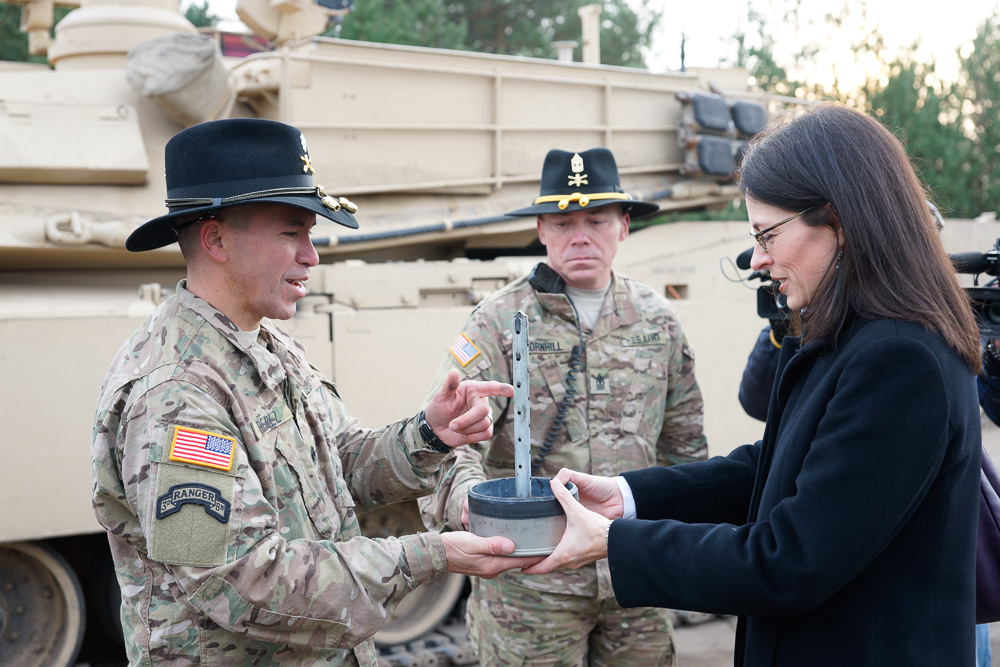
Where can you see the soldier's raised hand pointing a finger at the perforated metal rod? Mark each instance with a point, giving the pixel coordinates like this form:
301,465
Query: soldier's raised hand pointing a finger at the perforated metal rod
460,412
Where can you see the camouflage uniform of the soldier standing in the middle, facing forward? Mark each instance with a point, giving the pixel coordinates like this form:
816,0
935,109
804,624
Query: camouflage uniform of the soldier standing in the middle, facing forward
637,404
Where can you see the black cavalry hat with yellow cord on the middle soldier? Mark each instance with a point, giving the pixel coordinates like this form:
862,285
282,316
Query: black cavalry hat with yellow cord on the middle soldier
585,180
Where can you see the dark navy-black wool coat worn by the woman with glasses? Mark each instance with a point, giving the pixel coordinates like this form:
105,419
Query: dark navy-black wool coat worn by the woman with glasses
847,536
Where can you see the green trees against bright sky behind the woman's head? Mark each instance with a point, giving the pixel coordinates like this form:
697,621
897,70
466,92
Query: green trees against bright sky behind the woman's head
951,131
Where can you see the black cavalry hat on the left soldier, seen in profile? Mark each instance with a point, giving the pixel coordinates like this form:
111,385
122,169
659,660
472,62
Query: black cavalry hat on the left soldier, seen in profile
223,163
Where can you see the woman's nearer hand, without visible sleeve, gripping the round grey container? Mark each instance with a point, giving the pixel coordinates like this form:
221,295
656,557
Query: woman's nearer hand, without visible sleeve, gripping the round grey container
584,540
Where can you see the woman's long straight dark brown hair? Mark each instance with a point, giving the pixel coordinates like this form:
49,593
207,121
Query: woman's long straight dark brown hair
857,176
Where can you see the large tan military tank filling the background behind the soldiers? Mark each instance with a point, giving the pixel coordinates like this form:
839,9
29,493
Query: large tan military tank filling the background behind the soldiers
431,146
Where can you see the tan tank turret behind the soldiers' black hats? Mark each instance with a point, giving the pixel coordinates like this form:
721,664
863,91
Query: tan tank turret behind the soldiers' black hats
80,150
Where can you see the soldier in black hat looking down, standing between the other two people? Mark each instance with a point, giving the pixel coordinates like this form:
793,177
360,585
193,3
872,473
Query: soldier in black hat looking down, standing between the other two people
612,388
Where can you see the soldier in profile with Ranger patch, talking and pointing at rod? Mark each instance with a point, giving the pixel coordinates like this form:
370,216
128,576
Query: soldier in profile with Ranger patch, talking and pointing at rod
226,469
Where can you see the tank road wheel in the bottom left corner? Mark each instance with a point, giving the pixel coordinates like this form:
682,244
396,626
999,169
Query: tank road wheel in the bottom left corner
41,607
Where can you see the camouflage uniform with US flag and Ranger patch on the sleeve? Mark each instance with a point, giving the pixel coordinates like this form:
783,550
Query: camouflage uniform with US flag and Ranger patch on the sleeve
259,561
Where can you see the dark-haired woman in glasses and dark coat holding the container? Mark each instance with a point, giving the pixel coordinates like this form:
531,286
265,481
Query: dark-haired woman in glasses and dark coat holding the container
847,535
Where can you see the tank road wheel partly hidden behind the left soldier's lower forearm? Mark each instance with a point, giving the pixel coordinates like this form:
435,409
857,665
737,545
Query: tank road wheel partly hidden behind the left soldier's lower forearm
427,606
